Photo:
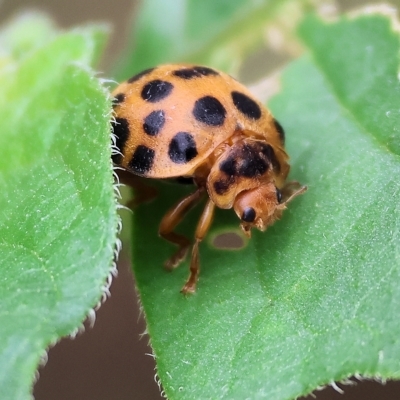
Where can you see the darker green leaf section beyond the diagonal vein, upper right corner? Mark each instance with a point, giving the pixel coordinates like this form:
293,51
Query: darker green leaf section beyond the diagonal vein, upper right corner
362,86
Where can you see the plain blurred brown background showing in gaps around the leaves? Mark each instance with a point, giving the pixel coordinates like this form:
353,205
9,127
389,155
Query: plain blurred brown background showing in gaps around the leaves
112,360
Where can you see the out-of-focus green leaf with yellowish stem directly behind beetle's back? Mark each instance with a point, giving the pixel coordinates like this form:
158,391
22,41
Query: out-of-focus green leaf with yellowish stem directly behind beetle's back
218,33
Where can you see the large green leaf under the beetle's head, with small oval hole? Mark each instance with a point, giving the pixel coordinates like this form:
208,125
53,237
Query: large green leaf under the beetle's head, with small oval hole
315,298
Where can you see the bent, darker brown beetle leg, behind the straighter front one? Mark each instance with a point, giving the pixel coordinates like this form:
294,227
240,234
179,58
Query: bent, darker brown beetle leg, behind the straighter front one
171,219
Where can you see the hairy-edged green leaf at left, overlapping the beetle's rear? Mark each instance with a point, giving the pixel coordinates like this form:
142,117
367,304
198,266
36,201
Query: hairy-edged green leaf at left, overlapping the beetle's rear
57,206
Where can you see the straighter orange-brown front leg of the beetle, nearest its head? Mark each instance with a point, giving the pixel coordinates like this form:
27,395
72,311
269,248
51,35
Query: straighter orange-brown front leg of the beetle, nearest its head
202,228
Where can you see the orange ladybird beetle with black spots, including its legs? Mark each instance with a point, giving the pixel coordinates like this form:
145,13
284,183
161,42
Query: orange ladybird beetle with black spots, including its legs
187,121
